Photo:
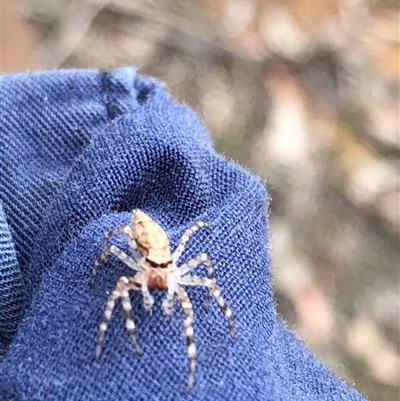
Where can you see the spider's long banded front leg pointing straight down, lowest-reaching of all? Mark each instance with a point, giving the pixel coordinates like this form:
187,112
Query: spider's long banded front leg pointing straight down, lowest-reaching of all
188,326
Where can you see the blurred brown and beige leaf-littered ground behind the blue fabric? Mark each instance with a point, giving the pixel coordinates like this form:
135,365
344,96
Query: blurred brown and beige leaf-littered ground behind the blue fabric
304,93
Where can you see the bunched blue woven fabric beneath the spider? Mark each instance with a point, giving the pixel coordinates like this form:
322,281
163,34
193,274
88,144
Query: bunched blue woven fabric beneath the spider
79,151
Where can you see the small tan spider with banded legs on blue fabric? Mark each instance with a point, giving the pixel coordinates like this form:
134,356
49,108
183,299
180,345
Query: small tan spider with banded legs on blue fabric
156,269
